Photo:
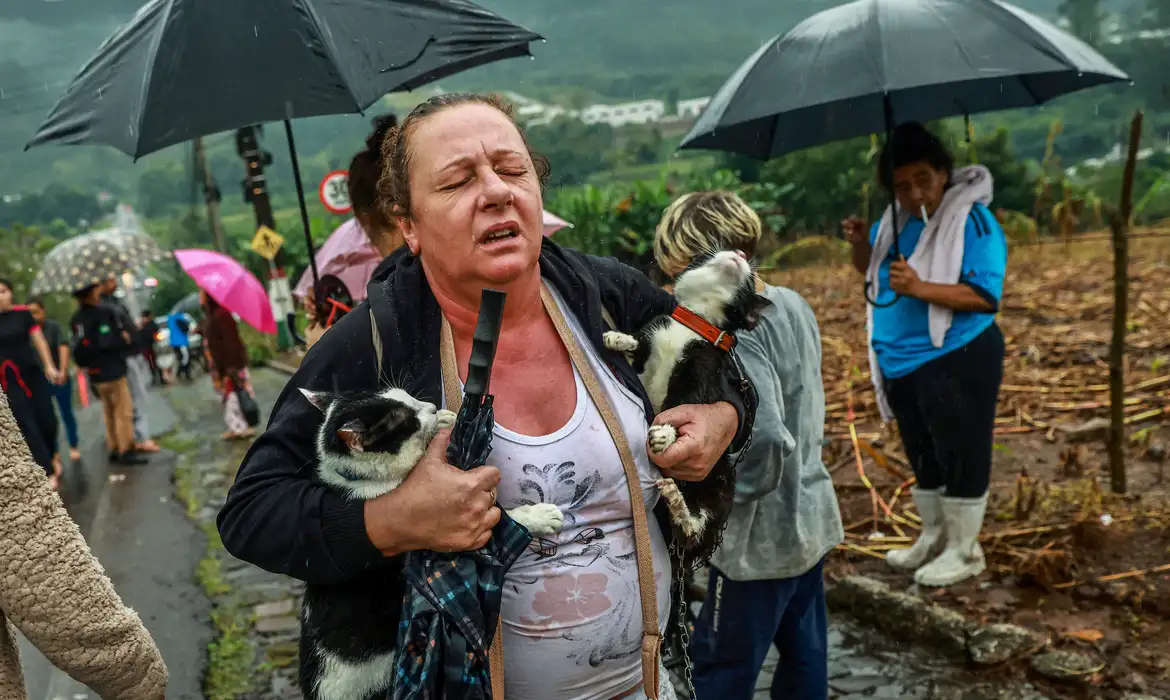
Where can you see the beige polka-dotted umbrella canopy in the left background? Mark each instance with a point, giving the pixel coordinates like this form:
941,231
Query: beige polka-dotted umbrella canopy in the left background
93,259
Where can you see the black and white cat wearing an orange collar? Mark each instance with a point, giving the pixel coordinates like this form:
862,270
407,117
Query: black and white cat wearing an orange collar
677,367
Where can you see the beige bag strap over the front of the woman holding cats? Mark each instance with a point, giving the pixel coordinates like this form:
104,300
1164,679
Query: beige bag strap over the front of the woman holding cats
652,642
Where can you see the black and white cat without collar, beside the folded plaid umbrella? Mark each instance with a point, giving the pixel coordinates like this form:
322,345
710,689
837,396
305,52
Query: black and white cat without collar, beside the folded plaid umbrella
367,447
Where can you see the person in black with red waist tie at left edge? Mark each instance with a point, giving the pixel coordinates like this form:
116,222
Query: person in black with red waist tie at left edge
24,352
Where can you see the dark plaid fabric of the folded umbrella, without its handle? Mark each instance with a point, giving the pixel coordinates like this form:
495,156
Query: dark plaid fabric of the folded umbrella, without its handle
450,616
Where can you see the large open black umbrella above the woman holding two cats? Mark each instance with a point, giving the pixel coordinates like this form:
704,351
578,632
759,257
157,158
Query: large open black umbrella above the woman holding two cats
188,68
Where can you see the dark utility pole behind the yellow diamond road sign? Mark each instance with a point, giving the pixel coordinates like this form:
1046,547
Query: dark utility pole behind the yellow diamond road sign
256,193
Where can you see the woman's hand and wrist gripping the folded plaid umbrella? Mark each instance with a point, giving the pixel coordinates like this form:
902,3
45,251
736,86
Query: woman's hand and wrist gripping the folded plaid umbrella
438,507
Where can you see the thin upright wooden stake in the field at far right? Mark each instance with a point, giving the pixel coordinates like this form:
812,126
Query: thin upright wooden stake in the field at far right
1120,227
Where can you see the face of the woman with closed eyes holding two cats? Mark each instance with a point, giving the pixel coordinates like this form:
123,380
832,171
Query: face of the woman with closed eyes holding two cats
476,198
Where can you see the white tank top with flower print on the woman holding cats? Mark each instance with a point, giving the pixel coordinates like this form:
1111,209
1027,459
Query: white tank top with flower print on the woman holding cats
573,617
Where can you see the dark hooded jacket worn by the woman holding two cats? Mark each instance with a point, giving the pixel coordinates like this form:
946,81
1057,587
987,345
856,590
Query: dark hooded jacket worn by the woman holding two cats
280,518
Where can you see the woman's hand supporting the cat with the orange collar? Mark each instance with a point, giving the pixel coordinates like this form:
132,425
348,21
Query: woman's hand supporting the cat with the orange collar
705,434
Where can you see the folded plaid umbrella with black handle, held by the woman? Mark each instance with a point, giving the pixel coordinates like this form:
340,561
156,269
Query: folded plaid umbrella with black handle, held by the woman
451,612
